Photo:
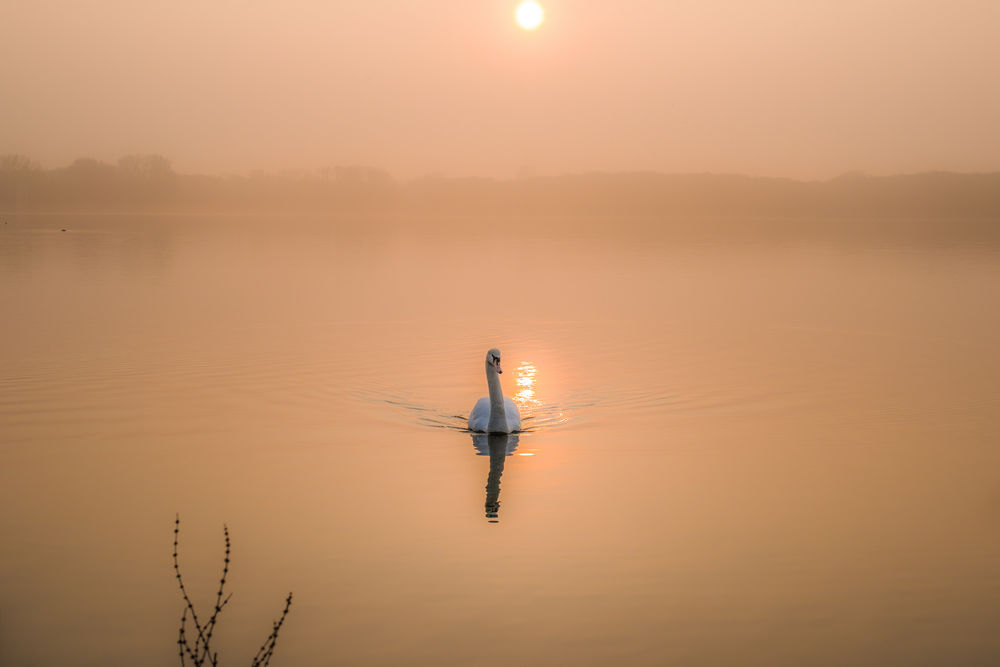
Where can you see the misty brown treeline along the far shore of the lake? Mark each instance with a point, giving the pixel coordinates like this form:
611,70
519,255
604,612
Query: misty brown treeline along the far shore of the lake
149,183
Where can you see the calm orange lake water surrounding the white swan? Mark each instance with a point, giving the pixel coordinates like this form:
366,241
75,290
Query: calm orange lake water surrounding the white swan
775,453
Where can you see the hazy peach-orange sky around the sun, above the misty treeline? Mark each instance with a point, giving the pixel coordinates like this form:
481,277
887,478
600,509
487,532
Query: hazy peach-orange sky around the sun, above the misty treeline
802,88
